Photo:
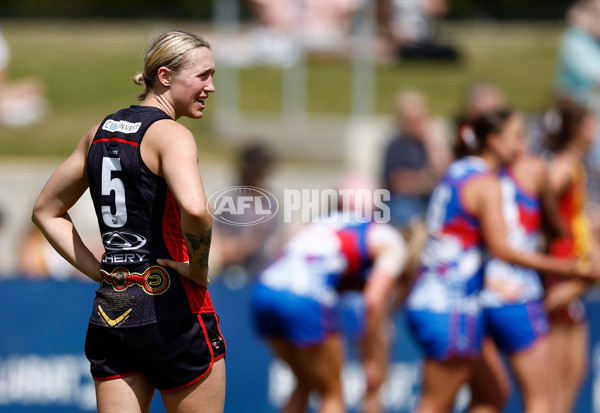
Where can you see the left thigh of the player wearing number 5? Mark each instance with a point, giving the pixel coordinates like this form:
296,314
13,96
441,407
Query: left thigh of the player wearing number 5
131,394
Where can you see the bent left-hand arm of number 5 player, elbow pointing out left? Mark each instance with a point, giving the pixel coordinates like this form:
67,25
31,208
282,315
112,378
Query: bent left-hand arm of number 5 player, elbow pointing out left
50,212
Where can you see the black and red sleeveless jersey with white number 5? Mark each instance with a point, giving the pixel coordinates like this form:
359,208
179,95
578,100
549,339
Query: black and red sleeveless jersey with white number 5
139,222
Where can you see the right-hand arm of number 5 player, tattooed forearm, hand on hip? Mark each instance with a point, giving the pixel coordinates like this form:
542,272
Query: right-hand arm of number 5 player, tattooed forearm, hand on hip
178,162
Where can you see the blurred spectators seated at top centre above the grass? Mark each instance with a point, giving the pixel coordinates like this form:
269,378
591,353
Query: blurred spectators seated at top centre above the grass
287,30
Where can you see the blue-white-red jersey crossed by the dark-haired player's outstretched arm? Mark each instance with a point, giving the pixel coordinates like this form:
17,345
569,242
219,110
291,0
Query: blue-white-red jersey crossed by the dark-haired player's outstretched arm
507,283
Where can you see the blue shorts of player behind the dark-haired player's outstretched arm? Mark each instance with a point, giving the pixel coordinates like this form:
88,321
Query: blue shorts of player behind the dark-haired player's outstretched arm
515,328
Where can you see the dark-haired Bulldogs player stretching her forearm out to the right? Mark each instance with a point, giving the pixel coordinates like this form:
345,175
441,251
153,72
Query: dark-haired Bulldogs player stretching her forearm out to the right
463,218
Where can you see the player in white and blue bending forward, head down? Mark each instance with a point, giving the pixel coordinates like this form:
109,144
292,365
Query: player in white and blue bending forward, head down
294,302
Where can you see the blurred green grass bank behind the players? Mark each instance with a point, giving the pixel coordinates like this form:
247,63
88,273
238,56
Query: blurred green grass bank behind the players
88,66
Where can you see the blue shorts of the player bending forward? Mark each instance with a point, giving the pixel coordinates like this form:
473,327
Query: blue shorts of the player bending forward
300,320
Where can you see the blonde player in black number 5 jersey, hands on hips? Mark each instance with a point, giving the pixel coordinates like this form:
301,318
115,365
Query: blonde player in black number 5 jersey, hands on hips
152,326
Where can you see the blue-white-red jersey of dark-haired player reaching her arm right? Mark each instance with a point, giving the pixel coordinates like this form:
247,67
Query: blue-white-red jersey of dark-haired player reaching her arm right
450,276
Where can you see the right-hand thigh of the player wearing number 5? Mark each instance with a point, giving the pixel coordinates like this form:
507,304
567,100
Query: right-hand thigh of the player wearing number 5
206,396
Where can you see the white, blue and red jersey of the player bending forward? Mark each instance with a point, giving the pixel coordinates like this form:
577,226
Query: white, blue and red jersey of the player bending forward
323,259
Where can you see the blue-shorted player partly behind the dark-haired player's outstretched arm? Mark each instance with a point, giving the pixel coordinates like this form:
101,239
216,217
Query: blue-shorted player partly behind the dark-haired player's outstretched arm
512,297
